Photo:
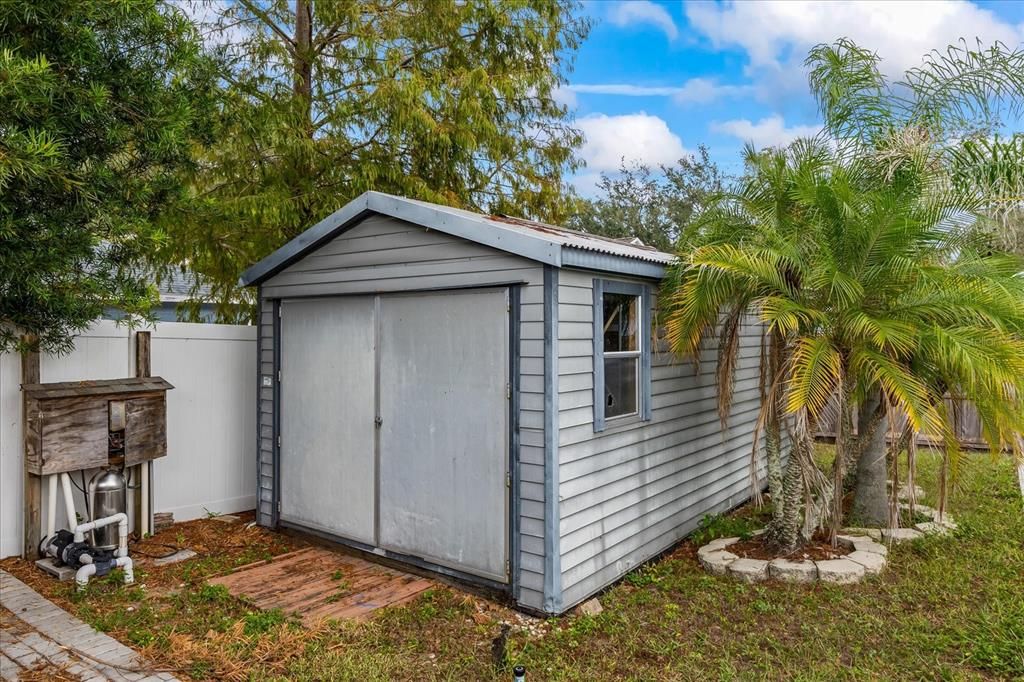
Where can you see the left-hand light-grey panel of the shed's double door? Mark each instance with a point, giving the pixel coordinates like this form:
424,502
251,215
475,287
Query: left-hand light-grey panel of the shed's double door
327,415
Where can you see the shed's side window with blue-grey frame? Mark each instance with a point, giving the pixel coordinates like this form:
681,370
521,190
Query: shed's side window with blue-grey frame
622,353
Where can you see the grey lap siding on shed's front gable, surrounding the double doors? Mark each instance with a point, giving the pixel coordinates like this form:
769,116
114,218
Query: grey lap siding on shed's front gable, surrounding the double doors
383,254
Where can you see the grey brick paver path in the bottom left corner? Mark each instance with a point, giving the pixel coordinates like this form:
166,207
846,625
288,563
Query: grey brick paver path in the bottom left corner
37,635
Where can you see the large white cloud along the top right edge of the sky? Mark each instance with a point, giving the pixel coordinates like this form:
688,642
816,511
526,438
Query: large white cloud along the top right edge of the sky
779,33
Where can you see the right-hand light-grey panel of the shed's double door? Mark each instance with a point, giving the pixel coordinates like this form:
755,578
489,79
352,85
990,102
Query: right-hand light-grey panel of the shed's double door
444,436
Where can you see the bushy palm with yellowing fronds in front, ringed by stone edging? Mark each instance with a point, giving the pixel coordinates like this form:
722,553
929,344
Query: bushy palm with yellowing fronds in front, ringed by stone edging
863,265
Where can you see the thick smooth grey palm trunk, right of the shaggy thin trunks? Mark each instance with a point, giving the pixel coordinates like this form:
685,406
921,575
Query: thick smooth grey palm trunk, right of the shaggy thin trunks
871,505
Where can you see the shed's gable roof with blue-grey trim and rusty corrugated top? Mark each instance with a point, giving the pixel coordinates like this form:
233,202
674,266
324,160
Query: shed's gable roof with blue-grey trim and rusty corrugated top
535,241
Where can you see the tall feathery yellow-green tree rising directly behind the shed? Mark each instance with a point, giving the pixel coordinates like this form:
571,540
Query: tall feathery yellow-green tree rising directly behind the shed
446,101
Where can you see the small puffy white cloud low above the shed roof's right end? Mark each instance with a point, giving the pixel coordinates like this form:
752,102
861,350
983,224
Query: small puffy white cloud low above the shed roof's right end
633,138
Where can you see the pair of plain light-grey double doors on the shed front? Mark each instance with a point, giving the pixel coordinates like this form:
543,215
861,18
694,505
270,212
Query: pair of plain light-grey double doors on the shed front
395,424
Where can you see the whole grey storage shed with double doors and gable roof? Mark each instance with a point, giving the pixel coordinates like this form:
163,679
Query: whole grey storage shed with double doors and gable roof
487,398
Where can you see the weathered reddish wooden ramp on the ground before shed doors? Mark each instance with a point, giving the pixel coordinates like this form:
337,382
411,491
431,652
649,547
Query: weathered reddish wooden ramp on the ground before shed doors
316,583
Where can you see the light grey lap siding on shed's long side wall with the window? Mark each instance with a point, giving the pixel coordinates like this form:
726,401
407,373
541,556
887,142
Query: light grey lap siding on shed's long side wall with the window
634,490
